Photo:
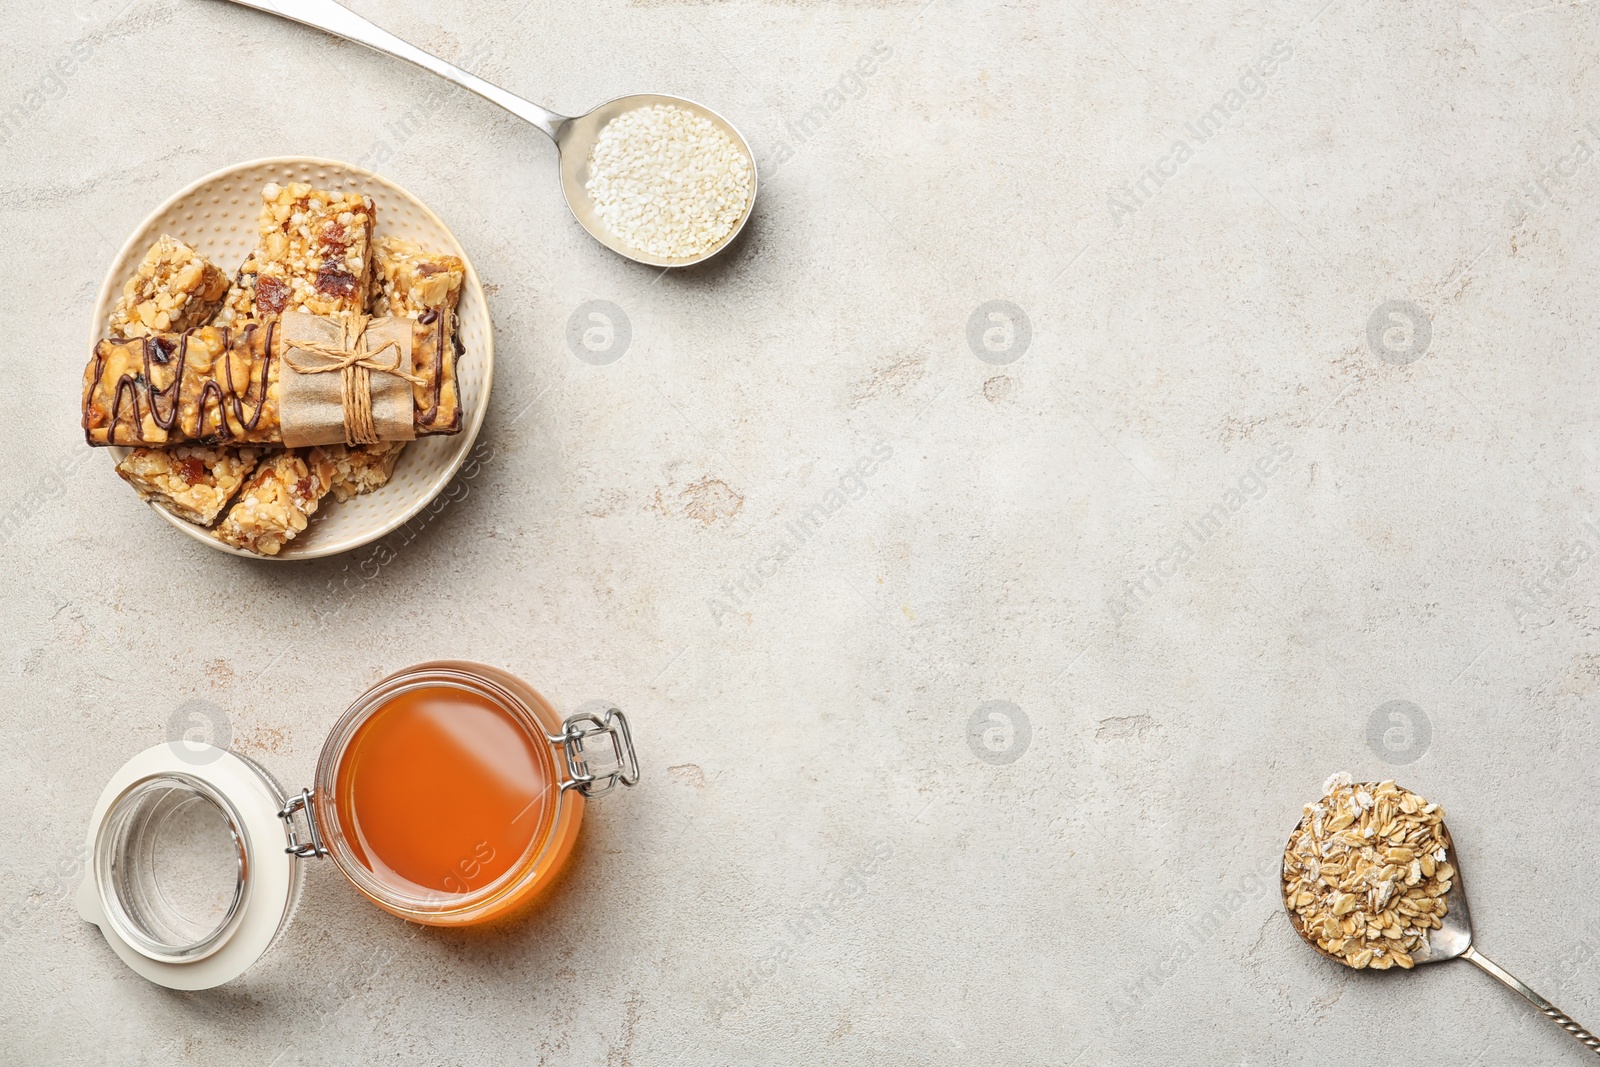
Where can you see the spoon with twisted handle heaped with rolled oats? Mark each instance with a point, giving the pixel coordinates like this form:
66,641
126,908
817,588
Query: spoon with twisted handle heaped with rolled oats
1372,881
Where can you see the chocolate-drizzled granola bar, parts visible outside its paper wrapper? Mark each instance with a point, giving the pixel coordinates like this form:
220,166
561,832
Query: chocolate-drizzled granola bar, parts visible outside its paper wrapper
214,385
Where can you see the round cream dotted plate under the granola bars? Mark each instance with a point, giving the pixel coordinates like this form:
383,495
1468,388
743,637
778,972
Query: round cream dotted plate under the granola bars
217,215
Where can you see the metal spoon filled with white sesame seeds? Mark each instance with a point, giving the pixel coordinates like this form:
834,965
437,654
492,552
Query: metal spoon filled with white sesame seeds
658,180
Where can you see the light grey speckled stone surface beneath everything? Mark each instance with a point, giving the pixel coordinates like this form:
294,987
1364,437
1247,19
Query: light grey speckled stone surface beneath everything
1138,487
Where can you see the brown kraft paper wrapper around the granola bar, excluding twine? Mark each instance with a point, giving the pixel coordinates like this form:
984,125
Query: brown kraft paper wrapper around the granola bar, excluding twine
311,409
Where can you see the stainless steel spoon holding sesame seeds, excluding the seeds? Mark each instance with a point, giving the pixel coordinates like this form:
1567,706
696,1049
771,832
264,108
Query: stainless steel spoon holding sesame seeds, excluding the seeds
574,137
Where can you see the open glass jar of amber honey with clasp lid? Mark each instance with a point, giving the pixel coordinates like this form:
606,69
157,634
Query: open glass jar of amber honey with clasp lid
449,794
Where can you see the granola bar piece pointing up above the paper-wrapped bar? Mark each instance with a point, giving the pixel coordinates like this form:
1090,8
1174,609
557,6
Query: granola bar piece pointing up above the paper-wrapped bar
313,250
